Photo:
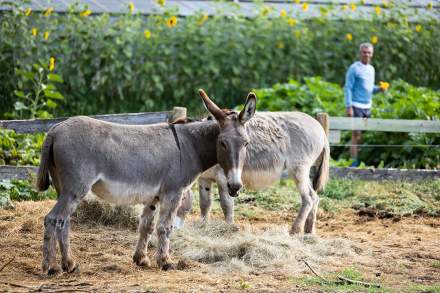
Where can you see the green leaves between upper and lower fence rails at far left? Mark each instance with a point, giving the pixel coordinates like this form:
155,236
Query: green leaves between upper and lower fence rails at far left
20,149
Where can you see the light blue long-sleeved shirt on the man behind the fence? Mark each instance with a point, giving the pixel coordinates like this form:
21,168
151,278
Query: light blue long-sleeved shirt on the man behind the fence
359,85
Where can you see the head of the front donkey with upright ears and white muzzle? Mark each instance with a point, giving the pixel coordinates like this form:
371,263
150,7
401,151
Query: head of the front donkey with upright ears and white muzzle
232,139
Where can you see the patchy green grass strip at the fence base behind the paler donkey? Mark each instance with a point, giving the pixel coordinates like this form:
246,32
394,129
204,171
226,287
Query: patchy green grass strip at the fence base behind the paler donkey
386,198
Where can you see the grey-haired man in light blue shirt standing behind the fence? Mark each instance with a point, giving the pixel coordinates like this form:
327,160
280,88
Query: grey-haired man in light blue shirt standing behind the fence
359,89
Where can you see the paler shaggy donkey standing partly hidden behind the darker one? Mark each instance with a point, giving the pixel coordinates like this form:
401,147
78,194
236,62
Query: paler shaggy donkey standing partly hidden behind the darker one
280,141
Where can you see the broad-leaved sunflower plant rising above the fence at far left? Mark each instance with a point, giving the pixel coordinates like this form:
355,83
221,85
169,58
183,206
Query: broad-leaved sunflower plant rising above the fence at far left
37,93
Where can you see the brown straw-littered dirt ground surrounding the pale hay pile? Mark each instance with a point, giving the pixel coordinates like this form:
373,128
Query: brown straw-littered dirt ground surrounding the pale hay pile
396,253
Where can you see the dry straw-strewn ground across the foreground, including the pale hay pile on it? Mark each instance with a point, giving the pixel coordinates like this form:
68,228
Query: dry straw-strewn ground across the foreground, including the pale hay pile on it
260,256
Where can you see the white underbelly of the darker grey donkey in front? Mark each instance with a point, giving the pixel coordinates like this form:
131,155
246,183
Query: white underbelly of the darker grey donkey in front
125,193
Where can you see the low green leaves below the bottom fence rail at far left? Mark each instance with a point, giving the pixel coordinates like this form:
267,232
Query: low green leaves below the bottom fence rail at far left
17,190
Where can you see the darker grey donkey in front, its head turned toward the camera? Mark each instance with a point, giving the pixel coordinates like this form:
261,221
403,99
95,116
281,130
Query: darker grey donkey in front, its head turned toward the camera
128,164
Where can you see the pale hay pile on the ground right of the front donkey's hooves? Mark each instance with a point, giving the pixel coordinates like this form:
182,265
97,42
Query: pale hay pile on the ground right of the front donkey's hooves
225,248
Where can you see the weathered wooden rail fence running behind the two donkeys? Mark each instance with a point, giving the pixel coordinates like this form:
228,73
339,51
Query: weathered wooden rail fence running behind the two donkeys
334,124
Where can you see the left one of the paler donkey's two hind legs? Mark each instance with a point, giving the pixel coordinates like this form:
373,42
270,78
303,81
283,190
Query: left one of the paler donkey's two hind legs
302,181
